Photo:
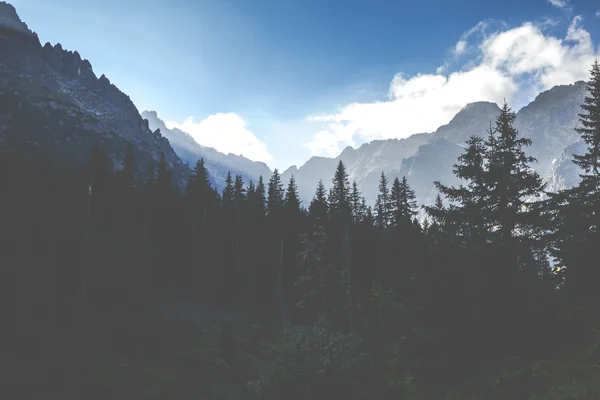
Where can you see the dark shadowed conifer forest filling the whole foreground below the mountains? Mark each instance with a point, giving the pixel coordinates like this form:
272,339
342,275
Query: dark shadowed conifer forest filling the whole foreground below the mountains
122,286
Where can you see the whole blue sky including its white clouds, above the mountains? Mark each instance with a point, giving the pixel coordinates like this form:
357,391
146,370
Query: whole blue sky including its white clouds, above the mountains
251,73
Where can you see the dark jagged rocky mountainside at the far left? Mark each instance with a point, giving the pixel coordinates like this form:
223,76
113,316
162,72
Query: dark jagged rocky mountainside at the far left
53,99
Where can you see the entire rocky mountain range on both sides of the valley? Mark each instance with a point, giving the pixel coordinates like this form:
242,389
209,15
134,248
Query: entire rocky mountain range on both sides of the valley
66,109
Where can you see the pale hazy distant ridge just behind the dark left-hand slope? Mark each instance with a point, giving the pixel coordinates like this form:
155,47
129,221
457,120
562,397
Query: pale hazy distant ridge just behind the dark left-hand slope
217,163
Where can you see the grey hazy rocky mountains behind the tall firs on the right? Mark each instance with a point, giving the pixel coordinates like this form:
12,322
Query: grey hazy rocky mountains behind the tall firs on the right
549,121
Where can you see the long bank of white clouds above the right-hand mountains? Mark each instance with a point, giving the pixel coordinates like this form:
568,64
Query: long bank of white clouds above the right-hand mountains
512,64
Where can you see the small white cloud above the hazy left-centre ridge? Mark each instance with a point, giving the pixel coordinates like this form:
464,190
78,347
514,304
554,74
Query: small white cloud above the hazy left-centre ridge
227,133
